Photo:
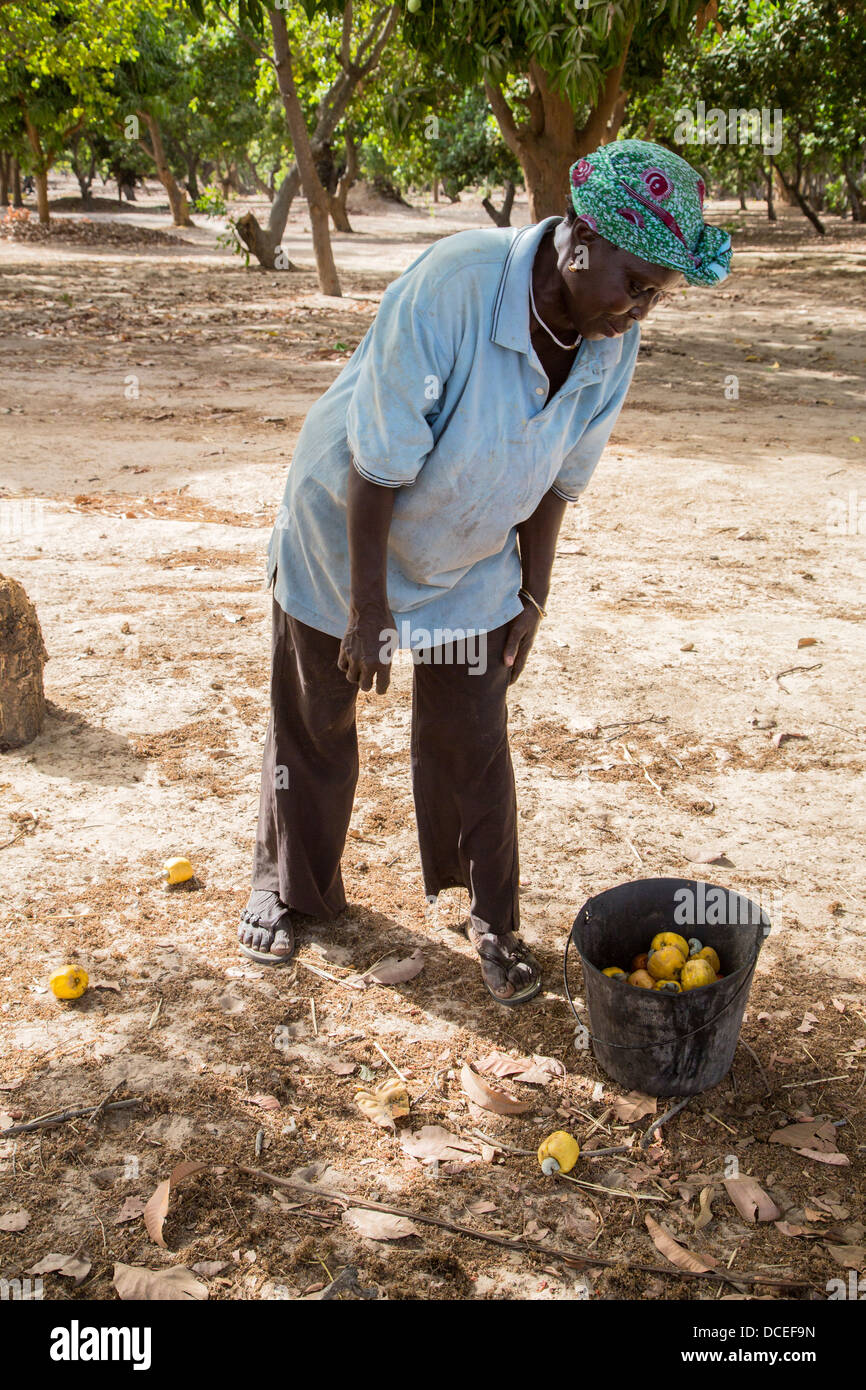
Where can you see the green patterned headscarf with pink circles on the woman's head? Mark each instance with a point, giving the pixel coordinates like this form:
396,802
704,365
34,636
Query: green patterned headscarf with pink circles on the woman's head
650,202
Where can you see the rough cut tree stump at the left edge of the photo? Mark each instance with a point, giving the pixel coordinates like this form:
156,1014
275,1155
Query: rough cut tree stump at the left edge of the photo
23,657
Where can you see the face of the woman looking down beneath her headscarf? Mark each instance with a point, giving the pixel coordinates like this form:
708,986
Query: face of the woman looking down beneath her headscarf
614,290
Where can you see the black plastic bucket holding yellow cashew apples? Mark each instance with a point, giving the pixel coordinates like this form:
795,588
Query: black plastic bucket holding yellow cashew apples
667,1045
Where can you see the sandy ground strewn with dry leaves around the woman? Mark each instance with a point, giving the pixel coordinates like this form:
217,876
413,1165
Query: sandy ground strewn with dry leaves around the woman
149,404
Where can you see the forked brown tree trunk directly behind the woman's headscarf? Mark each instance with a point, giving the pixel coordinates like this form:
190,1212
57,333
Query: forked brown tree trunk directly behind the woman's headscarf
550,142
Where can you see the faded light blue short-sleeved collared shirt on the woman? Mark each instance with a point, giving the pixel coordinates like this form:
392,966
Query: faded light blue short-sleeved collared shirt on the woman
446,400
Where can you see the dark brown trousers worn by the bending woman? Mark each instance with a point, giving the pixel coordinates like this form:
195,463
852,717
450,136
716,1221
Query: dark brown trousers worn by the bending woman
462,776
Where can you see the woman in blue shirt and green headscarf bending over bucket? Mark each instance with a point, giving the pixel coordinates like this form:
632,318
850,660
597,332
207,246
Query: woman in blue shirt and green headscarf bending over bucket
429,487
